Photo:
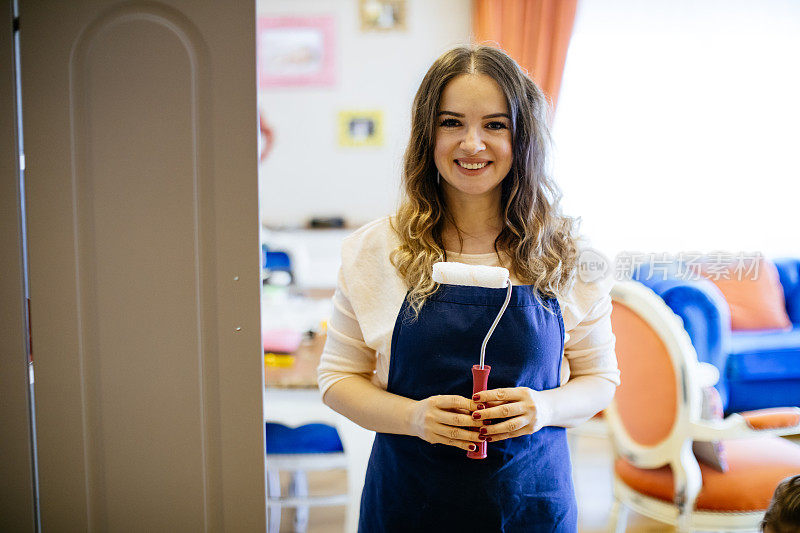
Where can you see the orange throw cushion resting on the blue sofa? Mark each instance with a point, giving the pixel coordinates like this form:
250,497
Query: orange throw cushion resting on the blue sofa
755,297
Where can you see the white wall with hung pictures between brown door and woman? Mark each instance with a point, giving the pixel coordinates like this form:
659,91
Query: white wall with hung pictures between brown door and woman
307,173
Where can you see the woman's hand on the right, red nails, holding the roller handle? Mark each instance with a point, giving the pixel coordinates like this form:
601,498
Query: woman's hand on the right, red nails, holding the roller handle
526,409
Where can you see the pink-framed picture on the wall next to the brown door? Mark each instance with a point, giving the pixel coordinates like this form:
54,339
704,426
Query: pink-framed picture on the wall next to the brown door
296,51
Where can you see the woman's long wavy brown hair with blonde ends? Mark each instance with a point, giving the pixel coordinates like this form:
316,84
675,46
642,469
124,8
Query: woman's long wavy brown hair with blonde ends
539,242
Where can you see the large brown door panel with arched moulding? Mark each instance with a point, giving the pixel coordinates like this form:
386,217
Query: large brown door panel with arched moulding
140,123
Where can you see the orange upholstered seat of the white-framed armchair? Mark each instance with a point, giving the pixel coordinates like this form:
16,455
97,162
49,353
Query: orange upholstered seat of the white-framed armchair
756,466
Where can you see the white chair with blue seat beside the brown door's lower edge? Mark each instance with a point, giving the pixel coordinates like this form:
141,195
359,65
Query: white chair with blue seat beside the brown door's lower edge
299,450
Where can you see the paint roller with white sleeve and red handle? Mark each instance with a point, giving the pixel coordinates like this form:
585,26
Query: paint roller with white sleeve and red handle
451,273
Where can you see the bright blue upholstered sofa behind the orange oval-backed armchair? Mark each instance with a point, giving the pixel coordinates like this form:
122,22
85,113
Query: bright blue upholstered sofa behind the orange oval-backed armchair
758,369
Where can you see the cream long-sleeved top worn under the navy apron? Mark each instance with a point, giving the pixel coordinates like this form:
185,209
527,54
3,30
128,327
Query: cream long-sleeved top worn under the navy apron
370,293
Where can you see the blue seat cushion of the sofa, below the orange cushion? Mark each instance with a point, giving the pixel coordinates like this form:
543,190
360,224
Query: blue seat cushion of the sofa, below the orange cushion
764,355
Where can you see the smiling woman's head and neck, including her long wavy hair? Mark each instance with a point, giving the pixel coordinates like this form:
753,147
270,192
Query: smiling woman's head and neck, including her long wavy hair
475,105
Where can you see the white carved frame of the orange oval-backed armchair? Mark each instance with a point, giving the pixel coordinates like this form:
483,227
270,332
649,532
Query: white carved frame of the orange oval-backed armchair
676,449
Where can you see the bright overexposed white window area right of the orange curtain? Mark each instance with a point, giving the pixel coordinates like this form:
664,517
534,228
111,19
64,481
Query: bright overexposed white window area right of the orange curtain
677,127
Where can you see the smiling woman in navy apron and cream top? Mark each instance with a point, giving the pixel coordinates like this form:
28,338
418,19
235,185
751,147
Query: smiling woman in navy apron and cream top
399,350
